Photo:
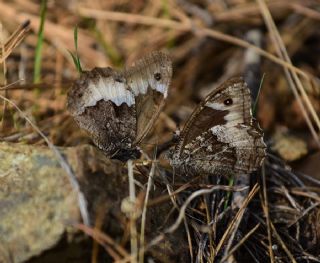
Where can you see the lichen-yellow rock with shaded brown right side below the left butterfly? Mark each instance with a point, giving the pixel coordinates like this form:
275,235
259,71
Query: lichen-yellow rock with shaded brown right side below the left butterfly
38,206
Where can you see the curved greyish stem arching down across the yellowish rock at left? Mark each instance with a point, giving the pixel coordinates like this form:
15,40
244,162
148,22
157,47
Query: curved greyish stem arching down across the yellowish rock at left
72,178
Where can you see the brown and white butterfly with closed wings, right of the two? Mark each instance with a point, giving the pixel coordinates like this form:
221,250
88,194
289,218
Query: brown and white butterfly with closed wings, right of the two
221,137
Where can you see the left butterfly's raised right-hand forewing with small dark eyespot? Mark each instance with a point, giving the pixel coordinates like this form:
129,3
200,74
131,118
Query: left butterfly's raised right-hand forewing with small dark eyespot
149,80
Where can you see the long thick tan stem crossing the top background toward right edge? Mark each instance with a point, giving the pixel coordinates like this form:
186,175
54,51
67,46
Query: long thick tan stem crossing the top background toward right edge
187,27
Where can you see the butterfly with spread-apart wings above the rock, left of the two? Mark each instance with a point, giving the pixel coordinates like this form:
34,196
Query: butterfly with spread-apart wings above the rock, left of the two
118,108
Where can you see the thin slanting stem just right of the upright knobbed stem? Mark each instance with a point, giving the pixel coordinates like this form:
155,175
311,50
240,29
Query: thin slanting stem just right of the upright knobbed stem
144,213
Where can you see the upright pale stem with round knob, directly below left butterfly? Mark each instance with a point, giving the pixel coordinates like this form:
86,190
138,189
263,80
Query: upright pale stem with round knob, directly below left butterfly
133,228
